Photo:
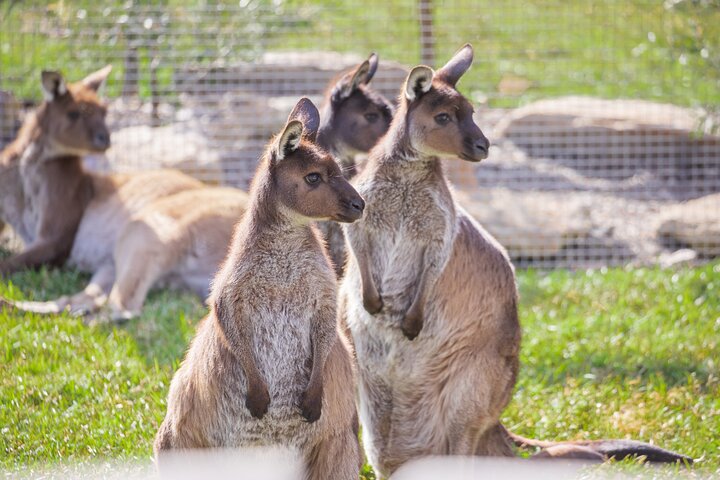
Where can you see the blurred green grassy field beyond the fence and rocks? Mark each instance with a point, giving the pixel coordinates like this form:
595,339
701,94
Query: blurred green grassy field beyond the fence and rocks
668,51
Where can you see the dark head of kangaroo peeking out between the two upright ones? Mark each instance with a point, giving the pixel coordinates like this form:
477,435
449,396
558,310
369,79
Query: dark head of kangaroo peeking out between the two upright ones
355,116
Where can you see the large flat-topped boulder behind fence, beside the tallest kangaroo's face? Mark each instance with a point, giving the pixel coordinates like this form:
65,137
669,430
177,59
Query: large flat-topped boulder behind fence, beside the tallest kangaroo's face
615,139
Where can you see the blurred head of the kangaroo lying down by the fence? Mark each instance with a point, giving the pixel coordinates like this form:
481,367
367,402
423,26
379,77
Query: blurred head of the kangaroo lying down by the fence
71,120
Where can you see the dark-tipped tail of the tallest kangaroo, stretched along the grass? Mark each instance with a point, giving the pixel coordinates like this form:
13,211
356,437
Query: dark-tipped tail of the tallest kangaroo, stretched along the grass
600,450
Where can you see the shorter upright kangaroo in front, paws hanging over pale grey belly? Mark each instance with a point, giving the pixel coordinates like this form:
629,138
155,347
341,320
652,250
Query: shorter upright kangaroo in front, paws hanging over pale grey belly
267,366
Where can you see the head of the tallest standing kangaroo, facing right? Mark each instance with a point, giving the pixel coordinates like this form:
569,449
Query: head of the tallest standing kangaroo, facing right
439,119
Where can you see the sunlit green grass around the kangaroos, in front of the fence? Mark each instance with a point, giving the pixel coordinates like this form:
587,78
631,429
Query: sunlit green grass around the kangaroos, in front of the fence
629,353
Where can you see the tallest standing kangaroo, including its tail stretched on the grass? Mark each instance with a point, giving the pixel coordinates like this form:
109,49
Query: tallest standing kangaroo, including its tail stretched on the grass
430,297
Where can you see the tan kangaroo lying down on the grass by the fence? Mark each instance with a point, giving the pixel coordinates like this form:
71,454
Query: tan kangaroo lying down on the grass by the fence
130,231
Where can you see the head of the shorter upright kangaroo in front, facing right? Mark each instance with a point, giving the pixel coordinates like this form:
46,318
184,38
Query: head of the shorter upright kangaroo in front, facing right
307,180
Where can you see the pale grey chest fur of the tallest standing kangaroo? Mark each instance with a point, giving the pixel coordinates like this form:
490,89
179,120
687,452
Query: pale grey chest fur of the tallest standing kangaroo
408,229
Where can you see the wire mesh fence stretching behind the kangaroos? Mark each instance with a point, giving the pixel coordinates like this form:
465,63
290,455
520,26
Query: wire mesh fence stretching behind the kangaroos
602,115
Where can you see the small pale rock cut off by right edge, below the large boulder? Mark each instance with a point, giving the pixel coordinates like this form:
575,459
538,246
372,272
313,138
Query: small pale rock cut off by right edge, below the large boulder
695,223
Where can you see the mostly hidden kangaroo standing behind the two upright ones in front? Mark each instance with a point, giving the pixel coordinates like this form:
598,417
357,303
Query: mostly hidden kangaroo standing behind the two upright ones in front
354,117
